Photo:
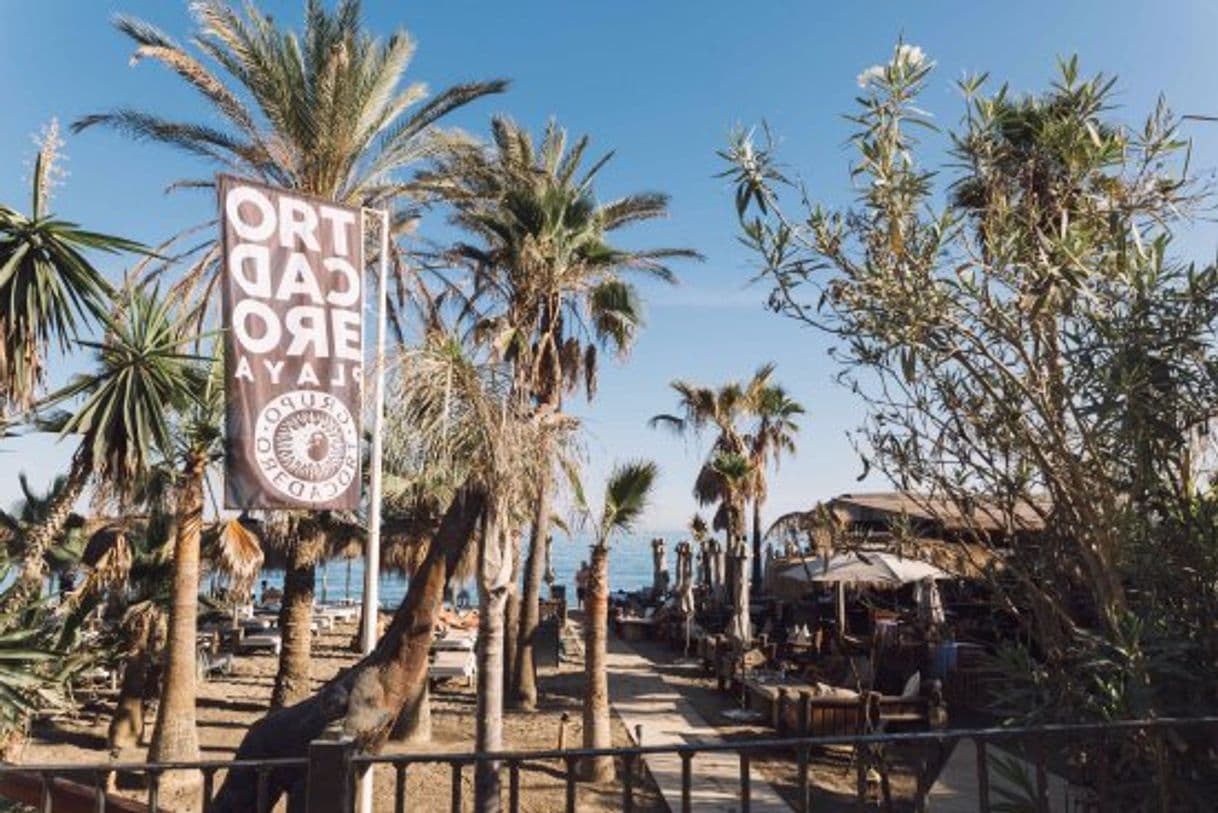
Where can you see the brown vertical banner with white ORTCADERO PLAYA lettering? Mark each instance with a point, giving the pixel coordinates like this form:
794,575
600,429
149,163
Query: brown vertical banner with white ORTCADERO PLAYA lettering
293,348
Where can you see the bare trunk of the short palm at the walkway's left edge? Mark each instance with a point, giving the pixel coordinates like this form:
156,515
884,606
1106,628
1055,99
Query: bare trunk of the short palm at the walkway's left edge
597,733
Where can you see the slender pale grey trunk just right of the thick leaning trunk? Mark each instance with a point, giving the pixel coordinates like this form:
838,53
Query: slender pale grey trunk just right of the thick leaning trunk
495,576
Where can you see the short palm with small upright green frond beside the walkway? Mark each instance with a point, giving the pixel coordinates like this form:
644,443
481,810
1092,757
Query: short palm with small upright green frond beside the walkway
627,495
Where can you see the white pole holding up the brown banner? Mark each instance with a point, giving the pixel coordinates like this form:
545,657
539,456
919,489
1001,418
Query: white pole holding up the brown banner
372,554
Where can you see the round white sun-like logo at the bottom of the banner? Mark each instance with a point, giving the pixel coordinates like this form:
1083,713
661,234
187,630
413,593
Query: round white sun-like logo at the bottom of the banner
308,446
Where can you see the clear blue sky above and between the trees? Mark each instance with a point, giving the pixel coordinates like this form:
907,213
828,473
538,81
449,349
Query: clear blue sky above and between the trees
662,83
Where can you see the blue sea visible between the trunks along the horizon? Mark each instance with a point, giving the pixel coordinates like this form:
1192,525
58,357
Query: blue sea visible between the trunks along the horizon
630,569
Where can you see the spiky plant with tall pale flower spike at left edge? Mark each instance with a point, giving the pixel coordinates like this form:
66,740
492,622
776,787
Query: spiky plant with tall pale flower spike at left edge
48,288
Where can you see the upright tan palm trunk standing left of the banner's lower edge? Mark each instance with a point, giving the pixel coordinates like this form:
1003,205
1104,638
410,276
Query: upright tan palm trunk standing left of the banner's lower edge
176,737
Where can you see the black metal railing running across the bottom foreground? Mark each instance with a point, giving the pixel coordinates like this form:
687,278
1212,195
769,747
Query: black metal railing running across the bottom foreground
334,767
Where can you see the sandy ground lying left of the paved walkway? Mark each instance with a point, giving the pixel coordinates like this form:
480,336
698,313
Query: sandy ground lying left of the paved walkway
227,706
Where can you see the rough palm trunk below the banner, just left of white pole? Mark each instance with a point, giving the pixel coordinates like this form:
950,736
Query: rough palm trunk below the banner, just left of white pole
293,683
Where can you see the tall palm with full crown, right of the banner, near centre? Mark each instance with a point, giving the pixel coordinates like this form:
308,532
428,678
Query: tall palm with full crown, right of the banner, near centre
550,289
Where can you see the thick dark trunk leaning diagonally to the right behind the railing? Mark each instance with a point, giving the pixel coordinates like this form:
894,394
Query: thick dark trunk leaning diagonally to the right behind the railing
370,697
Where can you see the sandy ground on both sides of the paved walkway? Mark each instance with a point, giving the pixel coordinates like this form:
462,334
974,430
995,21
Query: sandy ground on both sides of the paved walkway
227,706
